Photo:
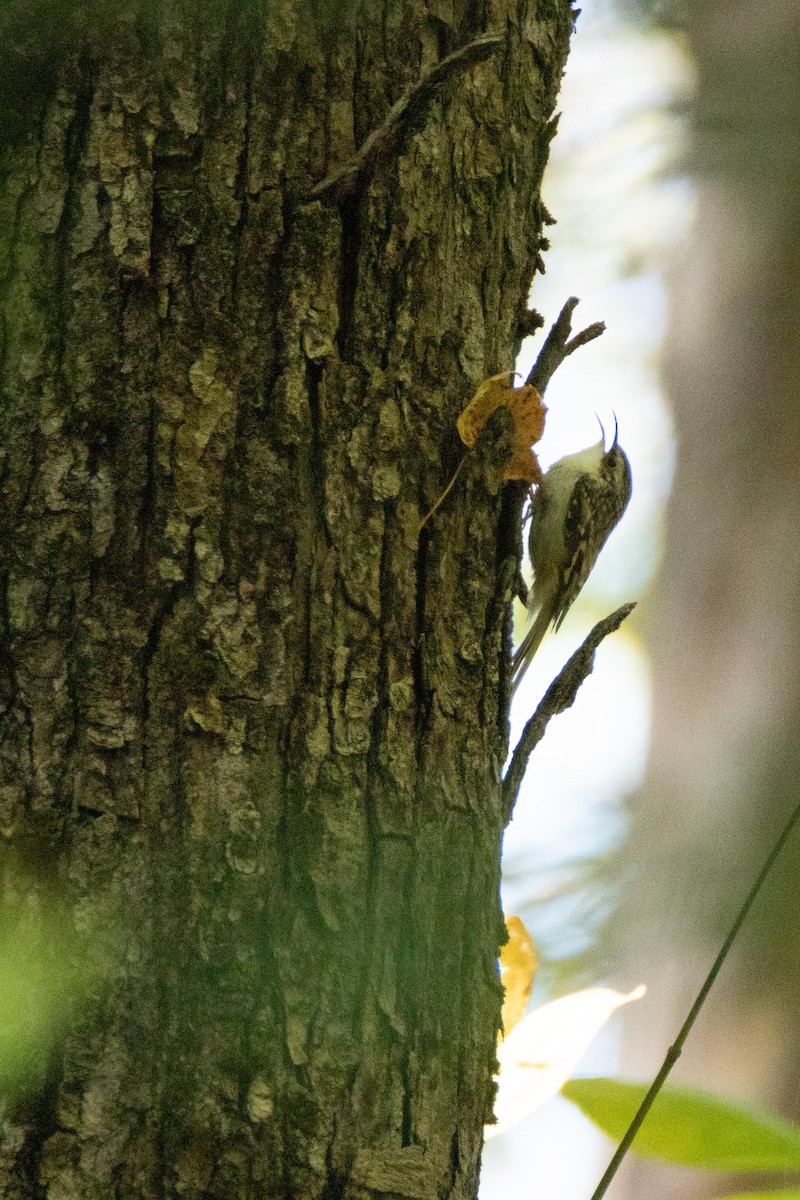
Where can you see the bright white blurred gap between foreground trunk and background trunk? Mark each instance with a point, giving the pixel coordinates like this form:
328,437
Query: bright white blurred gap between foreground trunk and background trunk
616,187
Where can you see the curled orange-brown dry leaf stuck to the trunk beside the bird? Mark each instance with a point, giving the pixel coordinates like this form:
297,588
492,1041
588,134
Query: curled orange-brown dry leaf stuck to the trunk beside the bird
527,413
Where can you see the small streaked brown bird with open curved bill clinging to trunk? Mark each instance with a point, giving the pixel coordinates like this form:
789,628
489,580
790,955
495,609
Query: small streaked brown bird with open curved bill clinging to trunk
576,507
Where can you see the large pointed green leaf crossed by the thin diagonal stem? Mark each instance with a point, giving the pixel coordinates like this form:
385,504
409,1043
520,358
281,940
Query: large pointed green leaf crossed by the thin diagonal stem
689,1127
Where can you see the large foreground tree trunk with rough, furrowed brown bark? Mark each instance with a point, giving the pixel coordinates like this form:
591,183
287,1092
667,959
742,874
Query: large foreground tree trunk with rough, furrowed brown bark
252,721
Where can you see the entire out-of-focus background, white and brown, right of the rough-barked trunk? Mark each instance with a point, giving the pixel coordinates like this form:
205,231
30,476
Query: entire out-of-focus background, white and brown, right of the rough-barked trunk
675,182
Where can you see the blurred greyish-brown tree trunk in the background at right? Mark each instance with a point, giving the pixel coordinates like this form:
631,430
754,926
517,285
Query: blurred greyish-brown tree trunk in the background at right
725,767
